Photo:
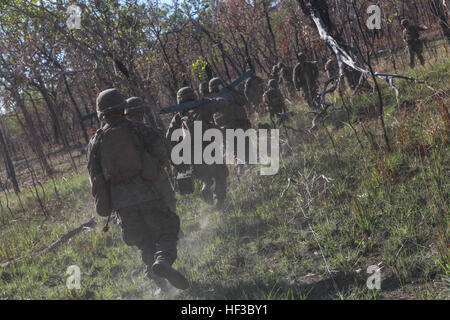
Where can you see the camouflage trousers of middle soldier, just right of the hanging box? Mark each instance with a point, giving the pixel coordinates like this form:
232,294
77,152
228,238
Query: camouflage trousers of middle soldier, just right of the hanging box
208,174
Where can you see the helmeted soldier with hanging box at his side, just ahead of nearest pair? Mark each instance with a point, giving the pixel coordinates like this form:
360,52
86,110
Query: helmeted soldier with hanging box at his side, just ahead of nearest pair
207,174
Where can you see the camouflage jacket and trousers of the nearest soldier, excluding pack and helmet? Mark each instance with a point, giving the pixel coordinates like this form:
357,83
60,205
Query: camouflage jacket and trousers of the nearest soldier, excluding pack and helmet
147,220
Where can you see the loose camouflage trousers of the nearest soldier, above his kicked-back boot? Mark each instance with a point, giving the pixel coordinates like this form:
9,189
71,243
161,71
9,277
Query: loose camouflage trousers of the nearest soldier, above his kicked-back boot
153,228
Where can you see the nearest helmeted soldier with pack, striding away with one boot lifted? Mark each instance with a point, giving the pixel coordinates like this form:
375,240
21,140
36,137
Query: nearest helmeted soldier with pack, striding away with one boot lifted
147,221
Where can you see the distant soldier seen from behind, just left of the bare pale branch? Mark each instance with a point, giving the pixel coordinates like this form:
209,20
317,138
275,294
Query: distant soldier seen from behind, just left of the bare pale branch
305,78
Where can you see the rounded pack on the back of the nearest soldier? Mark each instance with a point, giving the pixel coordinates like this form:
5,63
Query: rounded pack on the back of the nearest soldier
120,155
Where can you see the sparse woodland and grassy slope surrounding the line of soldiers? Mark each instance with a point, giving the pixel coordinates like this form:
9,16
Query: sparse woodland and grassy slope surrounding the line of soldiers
363,181
